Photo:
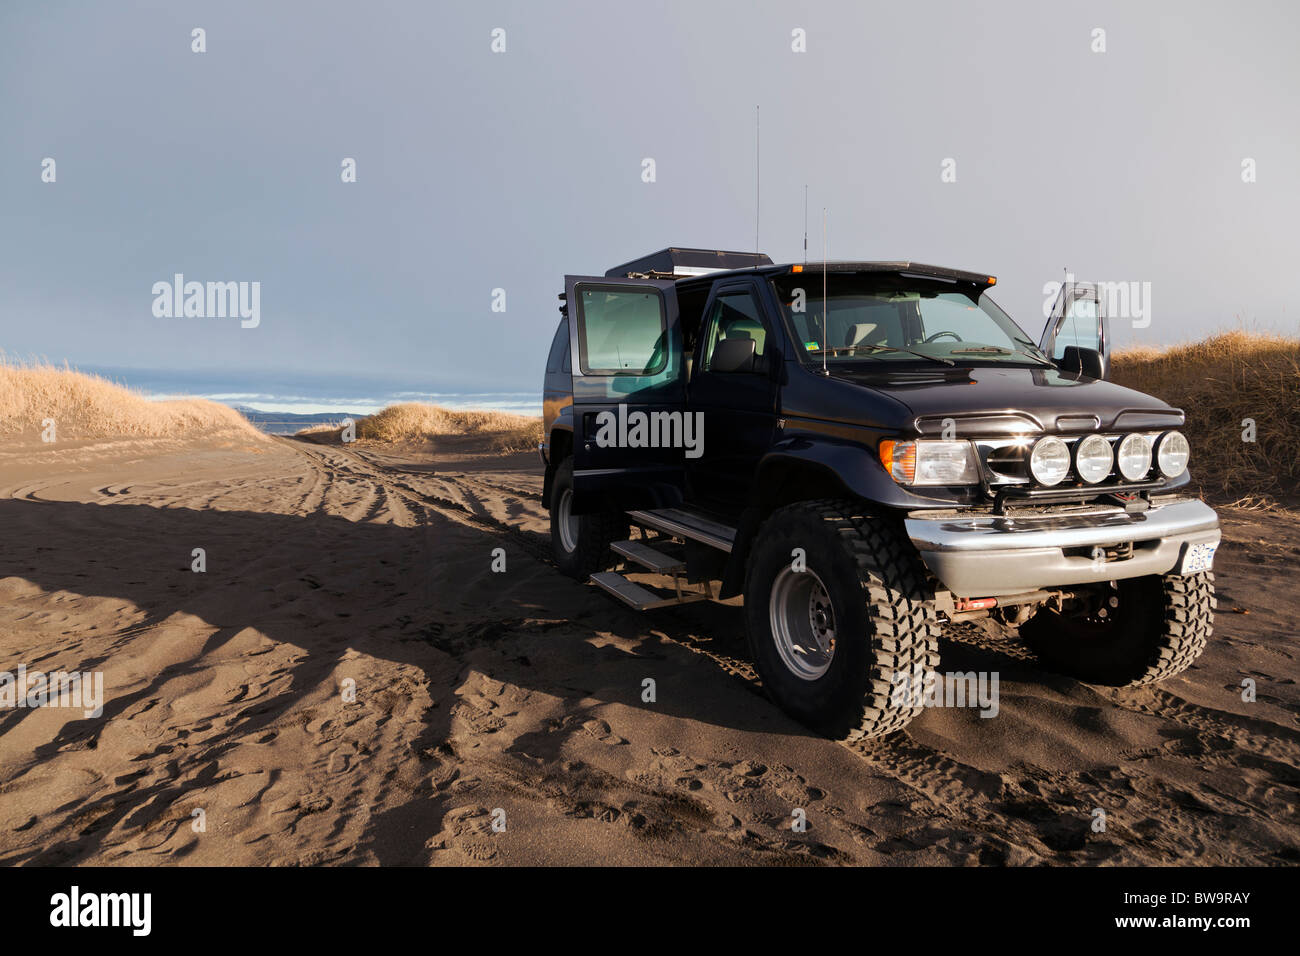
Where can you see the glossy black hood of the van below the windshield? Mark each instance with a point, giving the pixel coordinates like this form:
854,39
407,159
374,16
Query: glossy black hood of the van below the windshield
1008,400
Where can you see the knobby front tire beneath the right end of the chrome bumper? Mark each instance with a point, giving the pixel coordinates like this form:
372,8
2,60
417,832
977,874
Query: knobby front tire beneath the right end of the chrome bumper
1156,630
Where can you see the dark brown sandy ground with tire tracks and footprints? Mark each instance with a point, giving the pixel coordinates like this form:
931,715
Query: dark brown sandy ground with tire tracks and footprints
478,691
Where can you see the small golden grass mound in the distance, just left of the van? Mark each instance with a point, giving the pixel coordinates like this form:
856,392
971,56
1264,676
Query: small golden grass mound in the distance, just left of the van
502,432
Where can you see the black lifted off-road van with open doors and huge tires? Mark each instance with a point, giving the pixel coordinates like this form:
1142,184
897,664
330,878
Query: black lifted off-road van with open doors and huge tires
866,452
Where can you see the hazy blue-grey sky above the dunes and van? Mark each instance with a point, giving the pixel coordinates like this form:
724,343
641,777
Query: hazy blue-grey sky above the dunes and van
482,171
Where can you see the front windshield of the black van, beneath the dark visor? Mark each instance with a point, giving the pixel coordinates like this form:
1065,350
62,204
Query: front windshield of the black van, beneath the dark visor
887,318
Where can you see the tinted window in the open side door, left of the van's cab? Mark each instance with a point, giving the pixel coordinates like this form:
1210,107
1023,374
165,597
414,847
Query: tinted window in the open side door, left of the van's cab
622,331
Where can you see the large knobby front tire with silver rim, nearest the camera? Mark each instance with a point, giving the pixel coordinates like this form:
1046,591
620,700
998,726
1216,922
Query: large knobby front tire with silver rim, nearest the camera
847,646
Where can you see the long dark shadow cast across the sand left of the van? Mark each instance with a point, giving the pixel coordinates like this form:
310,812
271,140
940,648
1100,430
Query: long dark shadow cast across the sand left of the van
331,587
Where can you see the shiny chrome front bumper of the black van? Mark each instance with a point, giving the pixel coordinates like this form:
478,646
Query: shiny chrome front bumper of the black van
990,556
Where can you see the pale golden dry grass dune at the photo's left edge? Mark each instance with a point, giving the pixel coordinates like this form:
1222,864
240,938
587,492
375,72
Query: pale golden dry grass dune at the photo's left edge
88,406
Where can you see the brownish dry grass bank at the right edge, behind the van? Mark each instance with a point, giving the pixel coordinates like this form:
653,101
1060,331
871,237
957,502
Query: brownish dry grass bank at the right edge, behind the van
1220,383
